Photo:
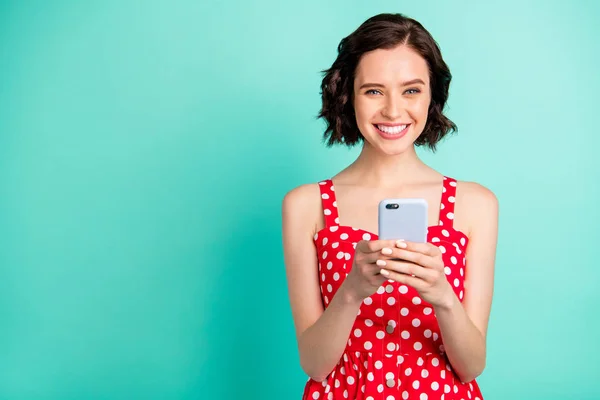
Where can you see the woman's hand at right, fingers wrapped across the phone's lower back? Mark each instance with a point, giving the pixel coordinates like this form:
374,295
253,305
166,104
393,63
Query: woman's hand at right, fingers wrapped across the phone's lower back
421,267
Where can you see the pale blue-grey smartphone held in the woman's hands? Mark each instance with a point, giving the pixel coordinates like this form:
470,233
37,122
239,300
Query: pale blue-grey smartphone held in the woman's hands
404,219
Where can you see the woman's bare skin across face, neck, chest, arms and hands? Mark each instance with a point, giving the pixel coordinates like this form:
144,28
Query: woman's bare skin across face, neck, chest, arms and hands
390,168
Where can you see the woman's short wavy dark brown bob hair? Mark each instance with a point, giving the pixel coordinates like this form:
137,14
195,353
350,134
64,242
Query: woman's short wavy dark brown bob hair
383,31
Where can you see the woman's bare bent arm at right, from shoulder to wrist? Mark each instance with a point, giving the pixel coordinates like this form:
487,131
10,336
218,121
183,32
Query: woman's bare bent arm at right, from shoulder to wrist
463,326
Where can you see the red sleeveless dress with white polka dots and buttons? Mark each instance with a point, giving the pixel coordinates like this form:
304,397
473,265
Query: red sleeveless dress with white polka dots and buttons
394,350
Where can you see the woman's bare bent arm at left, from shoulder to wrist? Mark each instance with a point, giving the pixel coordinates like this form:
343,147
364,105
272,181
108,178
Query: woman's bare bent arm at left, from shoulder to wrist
321,334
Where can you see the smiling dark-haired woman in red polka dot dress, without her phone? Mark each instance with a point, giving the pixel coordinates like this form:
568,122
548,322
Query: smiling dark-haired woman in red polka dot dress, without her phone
381,319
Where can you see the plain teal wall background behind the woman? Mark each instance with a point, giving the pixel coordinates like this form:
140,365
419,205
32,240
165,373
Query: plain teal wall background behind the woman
145,148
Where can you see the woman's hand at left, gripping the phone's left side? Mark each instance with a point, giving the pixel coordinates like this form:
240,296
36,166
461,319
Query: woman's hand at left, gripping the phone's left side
364,277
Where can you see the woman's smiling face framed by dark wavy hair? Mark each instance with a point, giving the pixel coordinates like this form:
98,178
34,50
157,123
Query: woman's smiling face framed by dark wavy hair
391,98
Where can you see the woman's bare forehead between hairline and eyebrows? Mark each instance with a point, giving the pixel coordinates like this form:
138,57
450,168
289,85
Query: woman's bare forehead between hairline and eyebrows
391,66
